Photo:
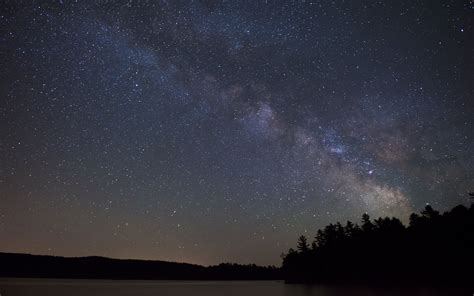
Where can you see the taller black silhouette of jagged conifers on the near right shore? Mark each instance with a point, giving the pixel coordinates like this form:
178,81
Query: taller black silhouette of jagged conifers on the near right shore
434,248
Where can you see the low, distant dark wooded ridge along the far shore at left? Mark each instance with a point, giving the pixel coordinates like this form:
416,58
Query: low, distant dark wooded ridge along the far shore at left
38,266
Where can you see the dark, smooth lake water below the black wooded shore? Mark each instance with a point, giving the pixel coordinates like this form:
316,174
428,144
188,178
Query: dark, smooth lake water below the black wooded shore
54,287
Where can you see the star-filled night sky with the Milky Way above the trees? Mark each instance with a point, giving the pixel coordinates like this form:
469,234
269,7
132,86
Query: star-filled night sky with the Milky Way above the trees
213,131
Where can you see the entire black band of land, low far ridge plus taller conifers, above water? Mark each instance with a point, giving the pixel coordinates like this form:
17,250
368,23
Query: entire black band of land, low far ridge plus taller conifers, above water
433,249
